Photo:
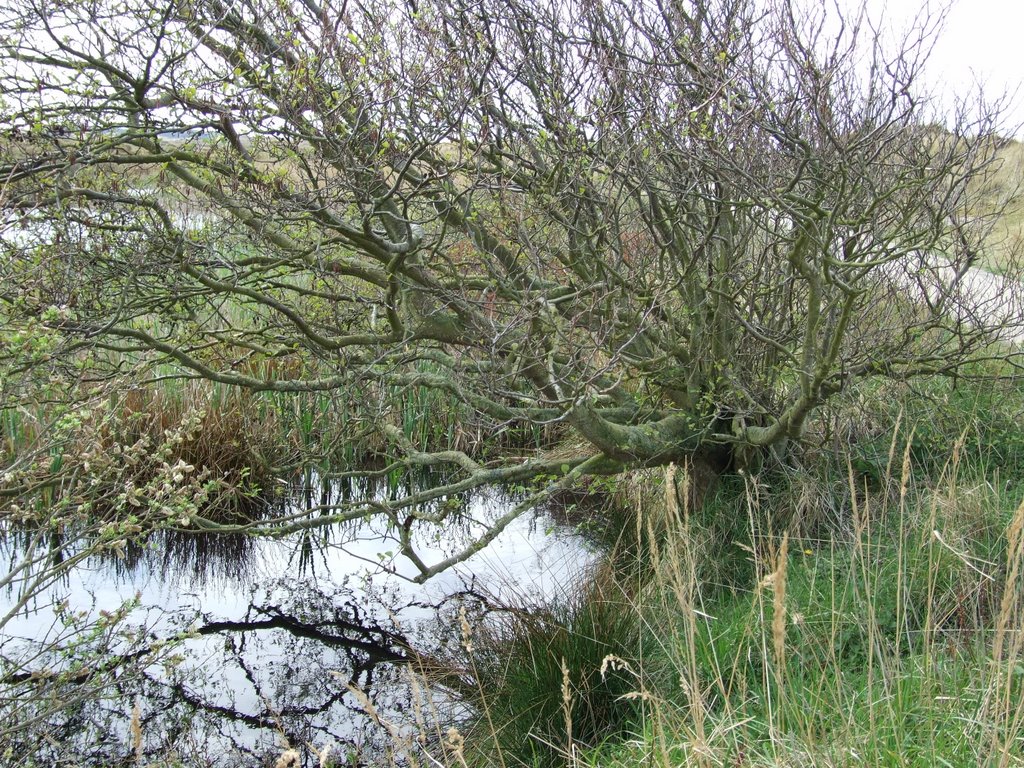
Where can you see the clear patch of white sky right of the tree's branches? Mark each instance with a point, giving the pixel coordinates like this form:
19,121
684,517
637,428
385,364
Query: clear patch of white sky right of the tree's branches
982,44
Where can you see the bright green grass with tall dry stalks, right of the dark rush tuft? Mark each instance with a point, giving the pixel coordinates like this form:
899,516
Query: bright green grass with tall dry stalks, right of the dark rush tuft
890,647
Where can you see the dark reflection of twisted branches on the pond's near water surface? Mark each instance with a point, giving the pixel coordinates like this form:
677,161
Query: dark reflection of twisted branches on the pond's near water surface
281,670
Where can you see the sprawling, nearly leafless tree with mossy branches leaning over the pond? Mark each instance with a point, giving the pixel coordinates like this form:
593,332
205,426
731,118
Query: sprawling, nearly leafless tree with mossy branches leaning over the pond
675,229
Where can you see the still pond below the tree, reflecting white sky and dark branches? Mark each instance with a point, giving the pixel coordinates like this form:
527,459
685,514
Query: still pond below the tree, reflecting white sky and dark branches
277,643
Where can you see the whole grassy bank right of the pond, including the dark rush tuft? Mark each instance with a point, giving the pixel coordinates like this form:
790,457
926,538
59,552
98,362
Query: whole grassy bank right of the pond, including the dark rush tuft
821,617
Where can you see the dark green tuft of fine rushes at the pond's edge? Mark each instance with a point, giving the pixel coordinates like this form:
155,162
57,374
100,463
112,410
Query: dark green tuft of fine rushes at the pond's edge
541,679
